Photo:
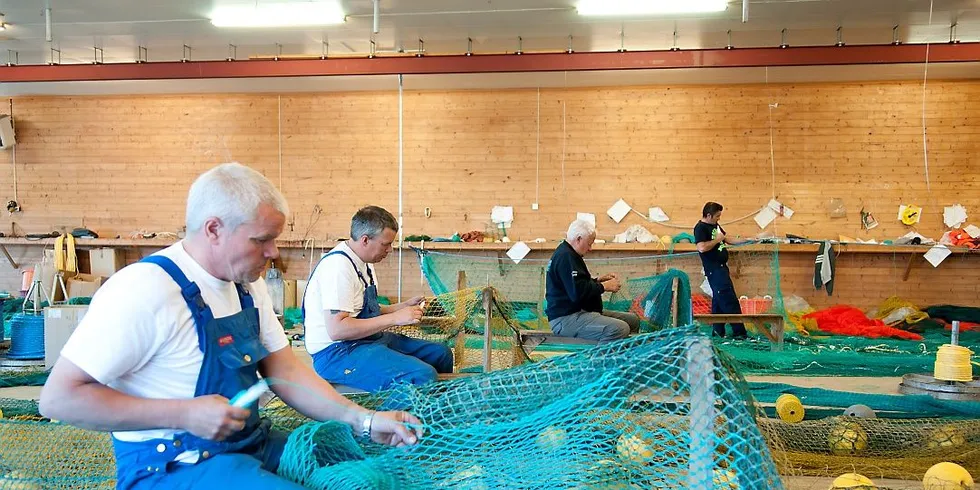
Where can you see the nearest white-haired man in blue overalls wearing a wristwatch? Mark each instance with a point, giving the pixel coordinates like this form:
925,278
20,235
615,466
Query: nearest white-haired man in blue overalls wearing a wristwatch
168,341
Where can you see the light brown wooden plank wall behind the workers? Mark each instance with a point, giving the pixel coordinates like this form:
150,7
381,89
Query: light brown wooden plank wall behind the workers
123,163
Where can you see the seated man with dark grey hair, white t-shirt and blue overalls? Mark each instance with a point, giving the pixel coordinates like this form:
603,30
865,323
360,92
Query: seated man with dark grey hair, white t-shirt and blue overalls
345,324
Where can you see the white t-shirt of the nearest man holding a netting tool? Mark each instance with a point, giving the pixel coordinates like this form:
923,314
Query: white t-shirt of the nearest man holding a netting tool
139,337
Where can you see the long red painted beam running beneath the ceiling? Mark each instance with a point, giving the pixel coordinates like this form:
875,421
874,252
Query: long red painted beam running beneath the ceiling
532,62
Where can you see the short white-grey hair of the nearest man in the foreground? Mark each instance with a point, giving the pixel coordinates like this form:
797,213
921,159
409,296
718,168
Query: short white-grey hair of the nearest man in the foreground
232,193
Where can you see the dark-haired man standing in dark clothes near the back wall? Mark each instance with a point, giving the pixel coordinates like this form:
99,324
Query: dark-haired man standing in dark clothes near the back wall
713,248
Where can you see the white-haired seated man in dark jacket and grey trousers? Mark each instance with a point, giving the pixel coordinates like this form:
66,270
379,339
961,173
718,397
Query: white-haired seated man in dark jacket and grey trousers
575,298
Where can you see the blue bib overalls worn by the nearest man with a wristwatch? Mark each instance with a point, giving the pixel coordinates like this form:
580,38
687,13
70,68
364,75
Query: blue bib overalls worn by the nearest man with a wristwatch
232,349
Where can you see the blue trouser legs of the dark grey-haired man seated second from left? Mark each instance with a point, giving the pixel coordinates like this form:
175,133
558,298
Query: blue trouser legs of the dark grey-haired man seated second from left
376,365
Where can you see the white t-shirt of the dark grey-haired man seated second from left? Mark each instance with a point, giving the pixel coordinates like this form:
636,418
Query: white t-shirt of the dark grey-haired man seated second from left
333,286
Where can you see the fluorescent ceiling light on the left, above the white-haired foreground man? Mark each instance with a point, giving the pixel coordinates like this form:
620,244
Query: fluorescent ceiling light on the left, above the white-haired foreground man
278,14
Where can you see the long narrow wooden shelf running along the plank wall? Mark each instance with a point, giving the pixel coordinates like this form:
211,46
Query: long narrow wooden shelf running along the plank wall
652,248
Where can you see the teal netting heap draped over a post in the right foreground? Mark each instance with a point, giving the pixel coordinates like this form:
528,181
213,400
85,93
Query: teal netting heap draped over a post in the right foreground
653,411
